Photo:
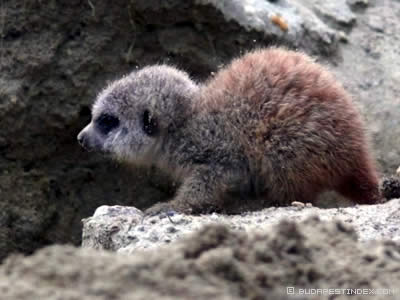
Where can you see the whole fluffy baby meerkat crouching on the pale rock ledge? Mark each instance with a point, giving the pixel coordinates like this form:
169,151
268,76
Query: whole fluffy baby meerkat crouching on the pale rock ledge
273,123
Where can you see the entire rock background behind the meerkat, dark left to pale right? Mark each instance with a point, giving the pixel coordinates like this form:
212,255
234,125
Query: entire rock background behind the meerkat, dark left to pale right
56,55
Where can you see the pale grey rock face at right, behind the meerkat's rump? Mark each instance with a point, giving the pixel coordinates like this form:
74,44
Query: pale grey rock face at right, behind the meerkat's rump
369,69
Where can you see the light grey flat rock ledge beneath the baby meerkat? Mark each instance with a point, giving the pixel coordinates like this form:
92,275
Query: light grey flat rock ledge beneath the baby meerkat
125,230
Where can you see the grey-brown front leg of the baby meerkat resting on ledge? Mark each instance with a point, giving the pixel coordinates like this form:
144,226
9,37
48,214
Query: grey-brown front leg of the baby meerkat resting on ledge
201,192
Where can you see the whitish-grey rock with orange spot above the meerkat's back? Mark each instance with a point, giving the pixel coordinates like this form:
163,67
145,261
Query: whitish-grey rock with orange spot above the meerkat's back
304,28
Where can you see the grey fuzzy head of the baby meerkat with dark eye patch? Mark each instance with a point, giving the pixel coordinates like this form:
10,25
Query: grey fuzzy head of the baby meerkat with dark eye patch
133,115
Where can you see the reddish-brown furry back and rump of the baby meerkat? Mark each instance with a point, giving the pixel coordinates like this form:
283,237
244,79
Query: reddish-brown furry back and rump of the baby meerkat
300,128
